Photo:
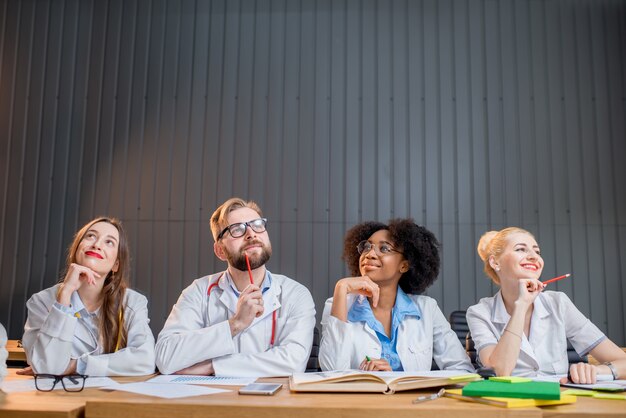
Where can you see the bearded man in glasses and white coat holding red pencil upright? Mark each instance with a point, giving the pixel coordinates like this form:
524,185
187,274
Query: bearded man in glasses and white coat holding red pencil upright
244,321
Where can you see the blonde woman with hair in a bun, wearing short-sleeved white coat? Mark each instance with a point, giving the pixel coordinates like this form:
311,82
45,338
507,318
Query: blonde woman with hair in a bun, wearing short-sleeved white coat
524,329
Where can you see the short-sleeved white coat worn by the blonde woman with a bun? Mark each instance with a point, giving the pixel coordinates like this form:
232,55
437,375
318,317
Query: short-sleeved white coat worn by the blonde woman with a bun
554,320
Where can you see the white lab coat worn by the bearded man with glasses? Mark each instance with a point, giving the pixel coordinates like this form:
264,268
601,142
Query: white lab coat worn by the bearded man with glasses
198,330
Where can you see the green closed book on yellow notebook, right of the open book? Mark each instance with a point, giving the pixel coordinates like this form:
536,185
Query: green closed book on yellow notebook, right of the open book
527,390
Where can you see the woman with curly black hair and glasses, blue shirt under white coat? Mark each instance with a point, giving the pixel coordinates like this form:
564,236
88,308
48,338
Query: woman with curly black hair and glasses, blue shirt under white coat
378,319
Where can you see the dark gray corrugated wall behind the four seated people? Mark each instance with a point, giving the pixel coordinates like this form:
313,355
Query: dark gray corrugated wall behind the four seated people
466,115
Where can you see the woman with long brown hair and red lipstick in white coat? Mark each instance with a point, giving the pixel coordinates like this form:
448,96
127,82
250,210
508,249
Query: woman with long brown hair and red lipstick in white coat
91,323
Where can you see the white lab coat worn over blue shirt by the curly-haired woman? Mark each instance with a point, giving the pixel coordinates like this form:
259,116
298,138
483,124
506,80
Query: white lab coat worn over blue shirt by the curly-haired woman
344,345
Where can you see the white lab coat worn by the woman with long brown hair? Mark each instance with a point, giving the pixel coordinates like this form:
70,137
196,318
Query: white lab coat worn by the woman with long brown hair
49,339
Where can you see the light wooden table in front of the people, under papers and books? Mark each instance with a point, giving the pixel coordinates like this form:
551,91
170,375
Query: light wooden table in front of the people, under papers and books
96,403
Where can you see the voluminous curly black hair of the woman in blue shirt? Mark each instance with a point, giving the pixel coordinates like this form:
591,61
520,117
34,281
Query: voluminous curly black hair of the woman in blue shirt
418,244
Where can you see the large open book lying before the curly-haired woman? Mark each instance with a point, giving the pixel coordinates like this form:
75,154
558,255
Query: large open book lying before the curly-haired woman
385,382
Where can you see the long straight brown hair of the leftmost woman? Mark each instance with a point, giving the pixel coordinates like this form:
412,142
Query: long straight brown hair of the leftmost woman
114,290
